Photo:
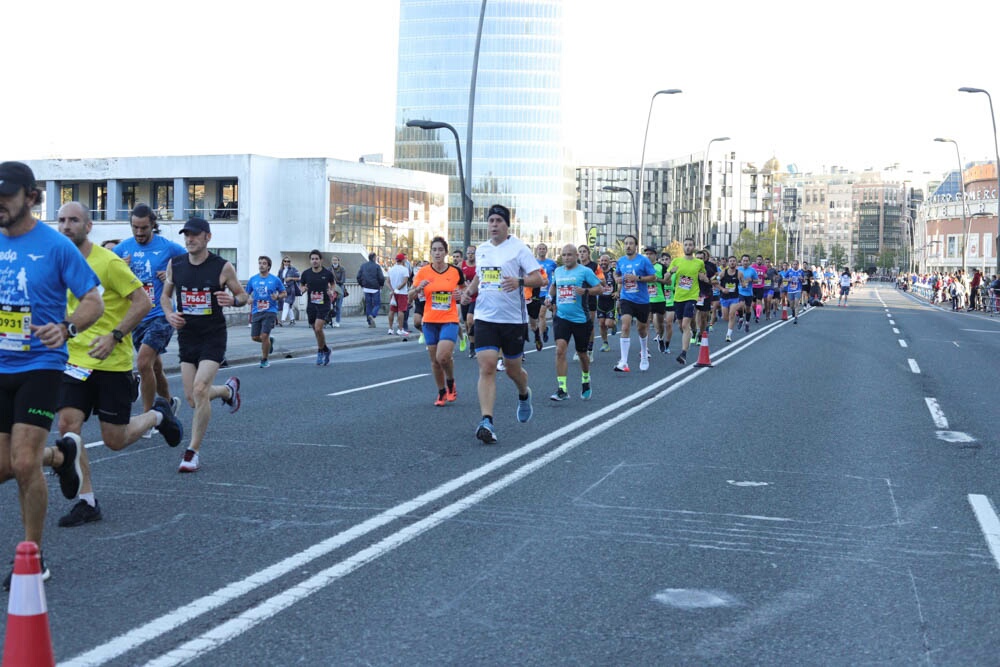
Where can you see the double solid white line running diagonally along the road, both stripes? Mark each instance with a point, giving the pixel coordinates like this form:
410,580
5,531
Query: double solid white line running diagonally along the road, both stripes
171,620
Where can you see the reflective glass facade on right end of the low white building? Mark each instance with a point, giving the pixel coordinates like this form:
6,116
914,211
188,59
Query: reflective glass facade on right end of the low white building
386,220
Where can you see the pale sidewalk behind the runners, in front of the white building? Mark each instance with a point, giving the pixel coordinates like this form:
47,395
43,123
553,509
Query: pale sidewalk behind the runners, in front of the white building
297,341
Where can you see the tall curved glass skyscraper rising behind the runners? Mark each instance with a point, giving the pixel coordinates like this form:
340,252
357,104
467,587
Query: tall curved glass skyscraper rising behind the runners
518,156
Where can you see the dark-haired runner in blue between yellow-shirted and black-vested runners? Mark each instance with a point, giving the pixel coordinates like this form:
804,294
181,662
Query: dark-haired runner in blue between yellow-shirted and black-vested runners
147,254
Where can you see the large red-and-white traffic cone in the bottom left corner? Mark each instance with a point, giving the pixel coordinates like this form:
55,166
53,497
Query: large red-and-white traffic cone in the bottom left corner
28,642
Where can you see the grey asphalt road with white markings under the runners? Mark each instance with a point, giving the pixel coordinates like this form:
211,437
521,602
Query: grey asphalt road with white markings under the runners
801,502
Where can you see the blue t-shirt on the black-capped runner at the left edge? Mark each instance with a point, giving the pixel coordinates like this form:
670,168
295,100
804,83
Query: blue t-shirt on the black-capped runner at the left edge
36,270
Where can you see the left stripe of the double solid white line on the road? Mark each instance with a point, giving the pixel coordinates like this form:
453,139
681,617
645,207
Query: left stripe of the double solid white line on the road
171,620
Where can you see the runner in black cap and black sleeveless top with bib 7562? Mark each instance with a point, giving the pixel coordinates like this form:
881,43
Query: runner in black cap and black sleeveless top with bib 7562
203,278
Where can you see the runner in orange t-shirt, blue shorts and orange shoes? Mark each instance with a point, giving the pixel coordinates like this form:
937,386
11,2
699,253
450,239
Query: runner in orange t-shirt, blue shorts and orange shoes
439,282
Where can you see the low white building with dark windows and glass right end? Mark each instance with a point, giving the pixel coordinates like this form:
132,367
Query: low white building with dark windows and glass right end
258,205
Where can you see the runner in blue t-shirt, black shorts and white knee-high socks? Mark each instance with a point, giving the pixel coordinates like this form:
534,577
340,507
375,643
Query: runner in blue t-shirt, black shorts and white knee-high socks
634,269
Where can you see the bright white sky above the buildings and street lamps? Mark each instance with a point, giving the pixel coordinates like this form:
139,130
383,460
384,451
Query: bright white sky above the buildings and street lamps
857,84
